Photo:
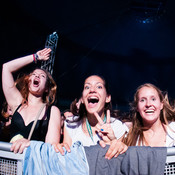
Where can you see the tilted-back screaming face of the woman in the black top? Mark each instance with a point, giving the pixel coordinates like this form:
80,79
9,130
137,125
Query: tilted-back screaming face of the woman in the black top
37,82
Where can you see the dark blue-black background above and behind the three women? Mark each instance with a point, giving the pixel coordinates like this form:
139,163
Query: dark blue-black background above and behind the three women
129,42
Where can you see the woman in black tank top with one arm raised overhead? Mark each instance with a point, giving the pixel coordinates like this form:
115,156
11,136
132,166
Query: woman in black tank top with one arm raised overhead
31,100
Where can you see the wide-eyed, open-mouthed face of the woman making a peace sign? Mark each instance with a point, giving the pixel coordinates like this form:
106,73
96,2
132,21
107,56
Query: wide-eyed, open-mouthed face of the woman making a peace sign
94,95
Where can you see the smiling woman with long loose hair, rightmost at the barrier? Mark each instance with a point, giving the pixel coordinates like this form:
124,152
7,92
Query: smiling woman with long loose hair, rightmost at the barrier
152,118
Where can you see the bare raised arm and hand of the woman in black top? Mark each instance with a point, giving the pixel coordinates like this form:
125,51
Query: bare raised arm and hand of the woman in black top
12,95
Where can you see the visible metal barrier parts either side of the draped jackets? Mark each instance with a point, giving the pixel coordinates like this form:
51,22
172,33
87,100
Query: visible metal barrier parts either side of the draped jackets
12,164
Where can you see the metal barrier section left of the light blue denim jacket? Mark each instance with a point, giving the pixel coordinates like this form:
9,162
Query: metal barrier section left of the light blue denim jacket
10,163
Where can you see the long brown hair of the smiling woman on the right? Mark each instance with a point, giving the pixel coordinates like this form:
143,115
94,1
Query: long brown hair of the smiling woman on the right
167,114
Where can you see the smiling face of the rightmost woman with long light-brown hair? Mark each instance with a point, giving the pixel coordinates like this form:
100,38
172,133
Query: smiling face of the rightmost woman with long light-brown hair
149,105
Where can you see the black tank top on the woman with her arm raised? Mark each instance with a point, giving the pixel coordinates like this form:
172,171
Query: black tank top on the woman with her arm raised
18,126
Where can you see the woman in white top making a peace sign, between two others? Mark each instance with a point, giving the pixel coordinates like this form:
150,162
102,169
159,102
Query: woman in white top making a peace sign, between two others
94,123
